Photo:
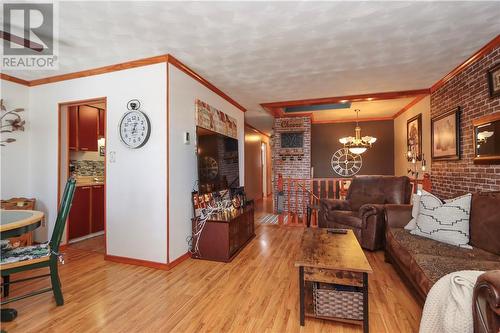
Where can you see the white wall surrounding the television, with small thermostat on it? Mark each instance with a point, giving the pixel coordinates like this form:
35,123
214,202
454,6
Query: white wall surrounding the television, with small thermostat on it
183,91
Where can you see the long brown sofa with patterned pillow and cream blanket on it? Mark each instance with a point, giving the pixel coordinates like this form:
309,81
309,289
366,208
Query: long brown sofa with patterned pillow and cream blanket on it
422,261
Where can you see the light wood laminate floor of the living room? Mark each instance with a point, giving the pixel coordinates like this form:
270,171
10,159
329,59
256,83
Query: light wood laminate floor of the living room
257,292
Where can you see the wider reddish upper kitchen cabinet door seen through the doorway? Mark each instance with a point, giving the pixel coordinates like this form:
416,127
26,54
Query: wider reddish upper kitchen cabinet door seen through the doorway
88,128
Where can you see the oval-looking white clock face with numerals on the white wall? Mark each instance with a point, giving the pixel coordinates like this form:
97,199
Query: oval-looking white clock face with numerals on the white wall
135,129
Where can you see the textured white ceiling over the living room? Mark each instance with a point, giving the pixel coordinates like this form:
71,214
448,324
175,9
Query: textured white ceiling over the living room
273,51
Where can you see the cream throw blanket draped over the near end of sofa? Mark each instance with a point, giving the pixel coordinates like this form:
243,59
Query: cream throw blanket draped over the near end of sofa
448,307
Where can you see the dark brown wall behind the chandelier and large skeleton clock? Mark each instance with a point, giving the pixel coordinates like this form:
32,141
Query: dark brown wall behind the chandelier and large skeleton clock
378,160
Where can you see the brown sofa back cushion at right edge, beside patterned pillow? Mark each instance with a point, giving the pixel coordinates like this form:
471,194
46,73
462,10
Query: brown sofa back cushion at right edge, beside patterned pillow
485,221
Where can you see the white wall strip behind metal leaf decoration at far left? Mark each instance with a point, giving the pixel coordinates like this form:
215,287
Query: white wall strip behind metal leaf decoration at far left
15,158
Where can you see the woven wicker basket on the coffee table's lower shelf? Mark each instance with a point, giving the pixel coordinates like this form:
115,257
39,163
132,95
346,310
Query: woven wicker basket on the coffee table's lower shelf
338,301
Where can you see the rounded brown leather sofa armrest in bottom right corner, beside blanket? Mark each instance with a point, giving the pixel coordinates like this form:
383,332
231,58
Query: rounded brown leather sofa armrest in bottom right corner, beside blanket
486,302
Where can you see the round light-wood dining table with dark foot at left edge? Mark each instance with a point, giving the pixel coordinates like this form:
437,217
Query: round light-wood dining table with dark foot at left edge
14,223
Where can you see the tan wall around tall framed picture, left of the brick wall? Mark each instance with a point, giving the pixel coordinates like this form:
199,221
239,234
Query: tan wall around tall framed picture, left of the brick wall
401,164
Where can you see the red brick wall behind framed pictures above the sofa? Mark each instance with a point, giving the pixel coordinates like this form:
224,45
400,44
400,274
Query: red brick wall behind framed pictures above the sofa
469,90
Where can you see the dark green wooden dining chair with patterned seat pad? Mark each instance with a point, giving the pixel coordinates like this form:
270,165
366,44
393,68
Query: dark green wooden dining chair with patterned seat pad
39,256
